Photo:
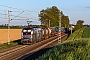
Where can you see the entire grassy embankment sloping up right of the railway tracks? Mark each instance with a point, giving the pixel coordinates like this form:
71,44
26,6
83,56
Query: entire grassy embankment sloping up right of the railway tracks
76,47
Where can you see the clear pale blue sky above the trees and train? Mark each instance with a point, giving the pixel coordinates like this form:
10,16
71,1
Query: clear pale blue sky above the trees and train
24,9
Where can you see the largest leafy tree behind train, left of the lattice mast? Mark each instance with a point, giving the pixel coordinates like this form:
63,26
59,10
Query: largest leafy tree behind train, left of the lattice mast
51,14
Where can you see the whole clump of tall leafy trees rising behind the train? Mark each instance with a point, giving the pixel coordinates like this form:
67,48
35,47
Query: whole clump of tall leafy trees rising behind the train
52,14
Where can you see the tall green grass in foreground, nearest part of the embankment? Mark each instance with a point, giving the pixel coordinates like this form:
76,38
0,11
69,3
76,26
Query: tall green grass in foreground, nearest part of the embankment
73,50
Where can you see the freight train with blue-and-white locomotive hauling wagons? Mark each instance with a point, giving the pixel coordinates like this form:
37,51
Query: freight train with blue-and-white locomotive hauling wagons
31,35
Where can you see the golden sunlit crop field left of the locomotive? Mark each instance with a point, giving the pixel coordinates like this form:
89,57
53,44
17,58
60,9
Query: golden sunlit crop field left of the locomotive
14,35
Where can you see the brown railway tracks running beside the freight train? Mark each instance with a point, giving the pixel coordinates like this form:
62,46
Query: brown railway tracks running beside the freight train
21,50
